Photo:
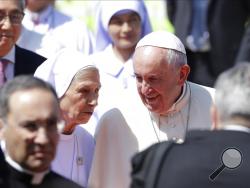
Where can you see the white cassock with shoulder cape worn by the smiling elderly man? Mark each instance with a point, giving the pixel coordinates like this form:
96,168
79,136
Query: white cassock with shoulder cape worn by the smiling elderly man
130,128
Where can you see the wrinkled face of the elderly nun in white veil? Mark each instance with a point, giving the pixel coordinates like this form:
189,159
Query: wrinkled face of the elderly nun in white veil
78,103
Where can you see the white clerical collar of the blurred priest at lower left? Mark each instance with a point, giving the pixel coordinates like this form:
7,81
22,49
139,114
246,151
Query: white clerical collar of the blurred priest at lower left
37,177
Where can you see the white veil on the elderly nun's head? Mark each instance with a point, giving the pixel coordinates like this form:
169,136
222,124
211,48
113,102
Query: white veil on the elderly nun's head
60,69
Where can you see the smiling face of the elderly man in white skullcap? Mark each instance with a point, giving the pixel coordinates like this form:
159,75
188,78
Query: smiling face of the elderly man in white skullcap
159,83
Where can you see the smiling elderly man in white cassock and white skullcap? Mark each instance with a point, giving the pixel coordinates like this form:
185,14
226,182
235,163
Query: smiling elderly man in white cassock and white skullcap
169,106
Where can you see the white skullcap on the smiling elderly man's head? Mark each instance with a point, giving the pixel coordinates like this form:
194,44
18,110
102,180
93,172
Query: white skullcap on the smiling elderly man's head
162,39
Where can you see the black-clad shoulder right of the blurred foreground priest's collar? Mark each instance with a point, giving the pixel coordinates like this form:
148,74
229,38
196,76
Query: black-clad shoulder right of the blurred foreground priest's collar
53,180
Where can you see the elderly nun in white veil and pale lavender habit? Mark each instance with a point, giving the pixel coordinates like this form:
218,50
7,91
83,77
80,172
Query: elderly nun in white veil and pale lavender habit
76,81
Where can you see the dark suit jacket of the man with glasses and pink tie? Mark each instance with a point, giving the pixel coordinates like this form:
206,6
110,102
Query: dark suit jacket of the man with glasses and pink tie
26,62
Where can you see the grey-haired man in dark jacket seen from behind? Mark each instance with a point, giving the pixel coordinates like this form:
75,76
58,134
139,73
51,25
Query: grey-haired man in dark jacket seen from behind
192,164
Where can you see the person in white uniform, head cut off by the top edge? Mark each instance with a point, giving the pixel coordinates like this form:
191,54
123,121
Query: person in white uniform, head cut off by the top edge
46,30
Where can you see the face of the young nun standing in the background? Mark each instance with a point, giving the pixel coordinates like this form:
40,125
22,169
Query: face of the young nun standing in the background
125,30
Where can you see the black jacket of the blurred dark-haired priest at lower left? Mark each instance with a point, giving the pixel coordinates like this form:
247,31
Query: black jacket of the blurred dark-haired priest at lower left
11,178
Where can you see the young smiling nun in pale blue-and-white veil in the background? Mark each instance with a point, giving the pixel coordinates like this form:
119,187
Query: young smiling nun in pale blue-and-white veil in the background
120,25
